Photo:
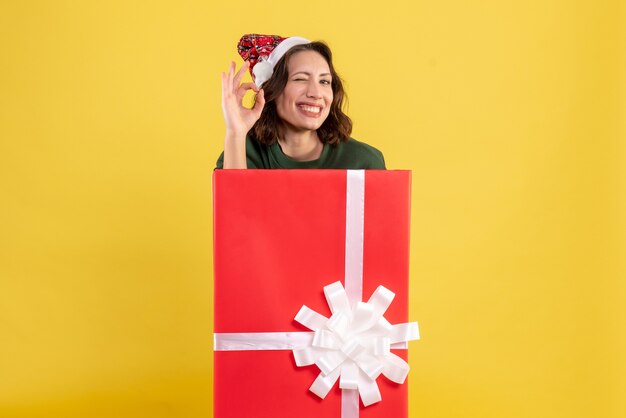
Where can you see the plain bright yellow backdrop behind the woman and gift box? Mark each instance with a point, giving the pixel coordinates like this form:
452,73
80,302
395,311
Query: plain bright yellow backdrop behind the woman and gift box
510,114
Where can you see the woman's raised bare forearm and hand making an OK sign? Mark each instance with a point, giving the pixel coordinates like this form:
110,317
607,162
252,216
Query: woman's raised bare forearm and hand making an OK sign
239,119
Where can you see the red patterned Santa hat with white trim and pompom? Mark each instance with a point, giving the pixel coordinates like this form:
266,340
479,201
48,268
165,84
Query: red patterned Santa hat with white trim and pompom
264,51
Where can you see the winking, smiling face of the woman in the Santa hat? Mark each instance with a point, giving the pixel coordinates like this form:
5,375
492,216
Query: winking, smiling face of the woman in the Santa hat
305,101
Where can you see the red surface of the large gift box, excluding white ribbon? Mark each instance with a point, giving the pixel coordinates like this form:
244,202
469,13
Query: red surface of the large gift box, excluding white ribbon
279,238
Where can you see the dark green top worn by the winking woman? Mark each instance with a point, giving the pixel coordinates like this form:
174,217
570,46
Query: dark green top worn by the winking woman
348,155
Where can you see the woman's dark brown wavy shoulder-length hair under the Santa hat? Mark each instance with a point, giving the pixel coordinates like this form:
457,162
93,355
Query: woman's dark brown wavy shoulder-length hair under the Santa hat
336,128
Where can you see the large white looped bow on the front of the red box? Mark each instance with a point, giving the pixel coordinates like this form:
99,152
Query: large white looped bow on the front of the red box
354,344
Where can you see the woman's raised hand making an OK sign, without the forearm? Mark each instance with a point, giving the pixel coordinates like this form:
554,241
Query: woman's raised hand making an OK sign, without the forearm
239,119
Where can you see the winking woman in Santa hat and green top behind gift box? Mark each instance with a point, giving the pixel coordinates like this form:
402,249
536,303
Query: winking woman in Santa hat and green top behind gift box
297,119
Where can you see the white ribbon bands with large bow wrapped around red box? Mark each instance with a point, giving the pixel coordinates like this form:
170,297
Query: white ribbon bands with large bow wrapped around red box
353,345
